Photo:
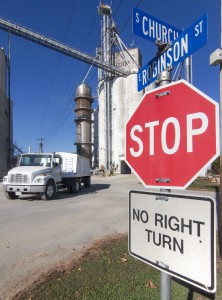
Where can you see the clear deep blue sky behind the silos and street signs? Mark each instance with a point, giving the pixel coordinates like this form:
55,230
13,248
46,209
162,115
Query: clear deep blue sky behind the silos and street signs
43,82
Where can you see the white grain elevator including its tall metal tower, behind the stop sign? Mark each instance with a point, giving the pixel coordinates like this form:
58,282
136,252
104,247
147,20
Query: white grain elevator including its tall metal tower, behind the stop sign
117,96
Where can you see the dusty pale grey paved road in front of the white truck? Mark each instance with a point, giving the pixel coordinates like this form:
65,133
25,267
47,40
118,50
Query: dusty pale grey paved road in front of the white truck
35,235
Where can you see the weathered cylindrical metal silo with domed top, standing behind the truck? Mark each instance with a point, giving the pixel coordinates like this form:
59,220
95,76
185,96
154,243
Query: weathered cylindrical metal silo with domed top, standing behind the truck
83,109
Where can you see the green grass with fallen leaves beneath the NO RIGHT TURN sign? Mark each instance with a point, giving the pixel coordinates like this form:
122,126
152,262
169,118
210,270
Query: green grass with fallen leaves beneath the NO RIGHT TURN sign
107,271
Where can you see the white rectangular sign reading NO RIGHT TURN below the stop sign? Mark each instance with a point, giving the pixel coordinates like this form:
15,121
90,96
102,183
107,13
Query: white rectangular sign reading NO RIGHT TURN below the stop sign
175,234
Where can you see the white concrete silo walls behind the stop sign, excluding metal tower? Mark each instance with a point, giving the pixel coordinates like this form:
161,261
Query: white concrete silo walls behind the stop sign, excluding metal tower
124,99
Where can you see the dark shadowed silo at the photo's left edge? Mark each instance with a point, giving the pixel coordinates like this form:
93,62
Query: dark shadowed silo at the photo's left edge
5,119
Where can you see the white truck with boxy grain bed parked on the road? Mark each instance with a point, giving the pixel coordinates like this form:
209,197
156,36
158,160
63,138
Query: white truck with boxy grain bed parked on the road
46,173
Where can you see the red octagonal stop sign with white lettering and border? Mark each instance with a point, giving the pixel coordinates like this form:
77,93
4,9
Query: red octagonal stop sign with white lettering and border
172,136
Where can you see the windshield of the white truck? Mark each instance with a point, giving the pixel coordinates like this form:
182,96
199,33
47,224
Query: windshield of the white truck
36,160
